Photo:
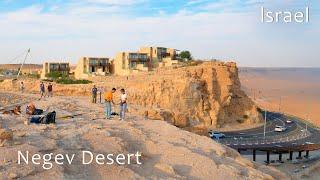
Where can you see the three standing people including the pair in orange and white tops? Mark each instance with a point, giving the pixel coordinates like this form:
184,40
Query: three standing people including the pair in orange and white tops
108,98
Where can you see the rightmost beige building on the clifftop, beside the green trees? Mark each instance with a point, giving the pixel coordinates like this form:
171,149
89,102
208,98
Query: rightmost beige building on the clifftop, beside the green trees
160,56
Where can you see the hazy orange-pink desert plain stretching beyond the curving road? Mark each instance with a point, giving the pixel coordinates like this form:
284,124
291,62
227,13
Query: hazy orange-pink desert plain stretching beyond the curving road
298,89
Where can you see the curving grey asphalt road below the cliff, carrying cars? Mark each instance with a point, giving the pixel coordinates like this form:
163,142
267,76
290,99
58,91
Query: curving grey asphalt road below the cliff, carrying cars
295,136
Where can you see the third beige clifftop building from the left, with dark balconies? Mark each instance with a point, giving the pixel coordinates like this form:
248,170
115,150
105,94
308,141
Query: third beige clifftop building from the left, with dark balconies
126,63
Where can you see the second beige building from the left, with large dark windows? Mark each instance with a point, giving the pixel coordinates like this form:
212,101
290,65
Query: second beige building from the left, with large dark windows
92,66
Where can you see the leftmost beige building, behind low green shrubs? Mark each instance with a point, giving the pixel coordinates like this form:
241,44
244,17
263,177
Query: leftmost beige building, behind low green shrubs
50,67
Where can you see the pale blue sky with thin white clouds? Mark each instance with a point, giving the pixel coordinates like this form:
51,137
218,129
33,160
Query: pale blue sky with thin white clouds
231,30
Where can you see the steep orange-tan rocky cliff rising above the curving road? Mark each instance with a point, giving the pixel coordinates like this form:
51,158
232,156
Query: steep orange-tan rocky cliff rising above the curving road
207,94
